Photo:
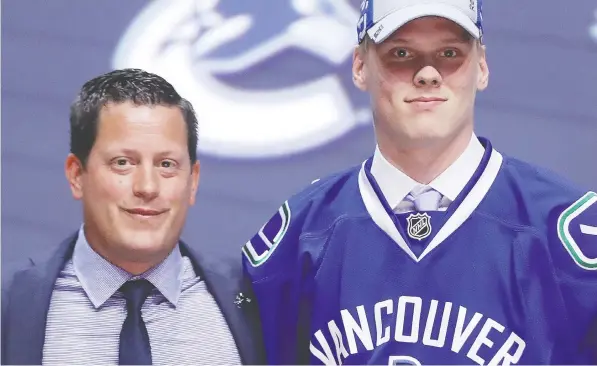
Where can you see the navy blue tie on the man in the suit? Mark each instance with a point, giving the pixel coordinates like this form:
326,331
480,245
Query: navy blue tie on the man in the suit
134,348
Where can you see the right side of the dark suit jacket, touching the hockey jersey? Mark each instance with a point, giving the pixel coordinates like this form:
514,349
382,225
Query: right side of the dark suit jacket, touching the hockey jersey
224,281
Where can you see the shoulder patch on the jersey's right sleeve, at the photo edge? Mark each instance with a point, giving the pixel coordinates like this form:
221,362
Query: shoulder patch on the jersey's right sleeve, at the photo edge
577,230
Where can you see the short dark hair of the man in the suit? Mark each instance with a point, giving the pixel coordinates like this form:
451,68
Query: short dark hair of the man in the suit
120,86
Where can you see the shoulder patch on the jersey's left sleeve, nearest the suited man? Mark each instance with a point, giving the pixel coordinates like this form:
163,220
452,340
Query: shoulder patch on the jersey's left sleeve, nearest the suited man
262,245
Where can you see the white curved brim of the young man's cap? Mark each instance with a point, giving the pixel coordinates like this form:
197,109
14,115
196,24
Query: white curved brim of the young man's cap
384,27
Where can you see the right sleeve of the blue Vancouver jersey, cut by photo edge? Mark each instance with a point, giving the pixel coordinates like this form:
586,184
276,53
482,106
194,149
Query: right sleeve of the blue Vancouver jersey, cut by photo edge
573,239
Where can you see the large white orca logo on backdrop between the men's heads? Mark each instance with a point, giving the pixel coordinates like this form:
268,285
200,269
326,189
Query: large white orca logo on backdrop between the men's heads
267,78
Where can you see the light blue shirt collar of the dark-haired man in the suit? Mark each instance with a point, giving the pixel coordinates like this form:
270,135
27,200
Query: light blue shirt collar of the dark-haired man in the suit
100,279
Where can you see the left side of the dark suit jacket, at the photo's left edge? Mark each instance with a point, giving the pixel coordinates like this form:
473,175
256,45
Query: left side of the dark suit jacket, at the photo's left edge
29,302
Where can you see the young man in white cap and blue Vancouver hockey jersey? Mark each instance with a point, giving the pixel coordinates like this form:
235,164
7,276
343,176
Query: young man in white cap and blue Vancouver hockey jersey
438,249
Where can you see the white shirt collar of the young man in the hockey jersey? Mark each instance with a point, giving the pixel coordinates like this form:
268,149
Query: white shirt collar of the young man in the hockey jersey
395,185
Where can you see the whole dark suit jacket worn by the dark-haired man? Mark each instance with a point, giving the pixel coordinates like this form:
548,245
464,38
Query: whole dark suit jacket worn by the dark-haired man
26,301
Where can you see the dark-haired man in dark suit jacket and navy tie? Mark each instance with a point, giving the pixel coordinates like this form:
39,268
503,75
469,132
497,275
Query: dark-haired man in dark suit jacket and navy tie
124,288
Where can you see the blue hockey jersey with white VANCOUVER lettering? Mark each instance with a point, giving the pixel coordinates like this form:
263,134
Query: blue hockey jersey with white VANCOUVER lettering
507,275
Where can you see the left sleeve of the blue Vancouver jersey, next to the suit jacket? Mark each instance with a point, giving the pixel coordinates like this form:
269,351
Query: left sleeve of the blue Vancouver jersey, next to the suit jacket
278,273
